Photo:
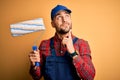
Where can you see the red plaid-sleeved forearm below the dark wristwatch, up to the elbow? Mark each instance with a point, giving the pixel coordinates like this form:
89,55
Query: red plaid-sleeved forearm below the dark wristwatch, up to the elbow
84,68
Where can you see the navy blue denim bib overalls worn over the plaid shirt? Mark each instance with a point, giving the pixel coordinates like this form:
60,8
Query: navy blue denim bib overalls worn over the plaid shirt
59,67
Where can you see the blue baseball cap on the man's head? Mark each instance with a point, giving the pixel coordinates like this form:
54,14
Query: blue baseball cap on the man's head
57,9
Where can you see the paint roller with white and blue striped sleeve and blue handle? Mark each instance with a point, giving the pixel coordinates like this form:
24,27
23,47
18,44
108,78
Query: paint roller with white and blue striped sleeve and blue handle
28,26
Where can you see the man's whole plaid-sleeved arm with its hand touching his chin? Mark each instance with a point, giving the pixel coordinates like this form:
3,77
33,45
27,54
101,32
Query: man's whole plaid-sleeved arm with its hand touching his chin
82,61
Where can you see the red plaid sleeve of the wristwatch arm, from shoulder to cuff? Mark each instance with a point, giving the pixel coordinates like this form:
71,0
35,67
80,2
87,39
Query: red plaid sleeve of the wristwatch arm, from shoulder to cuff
83,62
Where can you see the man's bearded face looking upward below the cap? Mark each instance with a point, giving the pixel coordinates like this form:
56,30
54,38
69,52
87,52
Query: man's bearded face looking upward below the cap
62,22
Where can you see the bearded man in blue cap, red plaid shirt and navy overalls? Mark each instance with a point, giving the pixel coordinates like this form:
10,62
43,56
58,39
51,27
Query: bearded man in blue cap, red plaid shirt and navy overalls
64,56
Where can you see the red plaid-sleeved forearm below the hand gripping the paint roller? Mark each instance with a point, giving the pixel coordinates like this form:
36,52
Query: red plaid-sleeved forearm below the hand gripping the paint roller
35,72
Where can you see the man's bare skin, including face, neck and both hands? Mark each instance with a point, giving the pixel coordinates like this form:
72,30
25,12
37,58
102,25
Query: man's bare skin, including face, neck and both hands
63,25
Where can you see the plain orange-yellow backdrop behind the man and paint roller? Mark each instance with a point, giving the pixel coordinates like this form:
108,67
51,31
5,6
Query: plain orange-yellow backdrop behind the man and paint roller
97,21
